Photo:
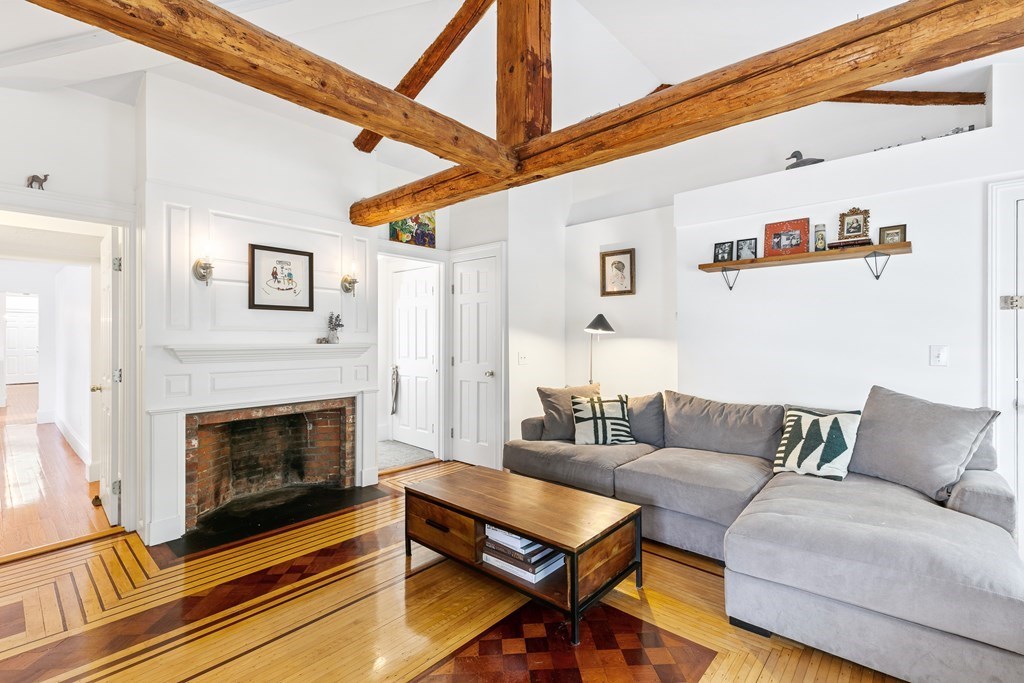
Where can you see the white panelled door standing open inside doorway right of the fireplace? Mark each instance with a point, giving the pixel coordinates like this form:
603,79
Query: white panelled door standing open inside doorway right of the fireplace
414,345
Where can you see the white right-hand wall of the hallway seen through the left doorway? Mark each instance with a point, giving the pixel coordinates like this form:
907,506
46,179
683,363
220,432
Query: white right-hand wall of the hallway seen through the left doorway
73,316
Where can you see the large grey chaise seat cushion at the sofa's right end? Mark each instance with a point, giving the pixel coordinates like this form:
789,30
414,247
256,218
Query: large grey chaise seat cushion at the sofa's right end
884,547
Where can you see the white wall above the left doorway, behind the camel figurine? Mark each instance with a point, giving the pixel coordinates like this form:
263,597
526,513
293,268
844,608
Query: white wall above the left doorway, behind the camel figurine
87,144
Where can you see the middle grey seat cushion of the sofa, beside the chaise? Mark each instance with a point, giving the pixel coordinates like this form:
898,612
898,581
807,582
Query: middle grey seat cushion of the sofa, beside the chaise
703,484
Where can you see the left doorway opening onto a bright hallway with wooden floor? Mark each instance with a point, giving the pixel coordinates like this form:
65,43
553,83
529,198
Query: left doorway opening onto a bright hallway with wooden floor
57,443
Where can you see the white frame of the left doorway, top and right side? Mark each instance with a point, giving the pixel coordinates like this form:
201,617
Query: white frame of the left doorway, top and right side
131,320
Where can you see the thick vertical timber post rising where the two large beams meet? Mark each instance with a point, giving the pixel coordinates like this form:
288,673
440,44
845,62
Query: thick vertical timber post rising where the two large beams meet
524,70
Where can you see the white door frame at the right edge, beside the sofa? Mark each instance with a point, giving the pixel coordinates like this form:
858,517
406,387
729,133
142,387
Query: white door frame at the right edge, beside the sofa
1004,327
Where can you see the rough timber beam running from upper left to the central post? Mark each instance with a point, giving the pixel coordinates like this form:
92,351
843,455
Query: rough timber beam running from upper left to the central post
207,36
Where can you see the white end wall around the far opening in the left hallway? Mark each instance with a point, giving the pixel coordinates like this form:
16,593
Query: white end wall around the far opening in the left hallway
30,278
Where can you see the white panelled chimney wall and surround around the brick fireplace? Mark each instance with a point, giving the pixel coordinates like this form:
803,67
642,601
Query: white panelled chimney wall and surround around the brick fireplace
220,177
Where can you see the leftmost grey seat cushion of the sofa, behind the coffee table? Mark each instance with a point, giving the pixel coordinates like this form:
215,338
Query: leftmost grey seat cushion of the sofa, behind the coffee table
588,467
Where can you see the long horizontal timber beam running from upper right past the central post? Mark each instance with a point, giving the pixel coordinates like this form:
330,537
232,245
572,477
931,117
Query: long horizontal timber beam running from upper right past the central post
912,38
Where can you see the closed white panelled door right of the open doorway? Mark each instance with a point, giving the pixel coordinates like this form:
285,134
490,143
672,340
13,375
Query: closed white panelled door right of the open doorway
478,361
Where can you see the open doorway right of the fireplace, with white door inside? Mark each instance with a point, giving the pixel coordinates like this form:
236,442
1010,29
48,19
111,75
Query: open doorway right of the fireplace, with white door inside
410,301
